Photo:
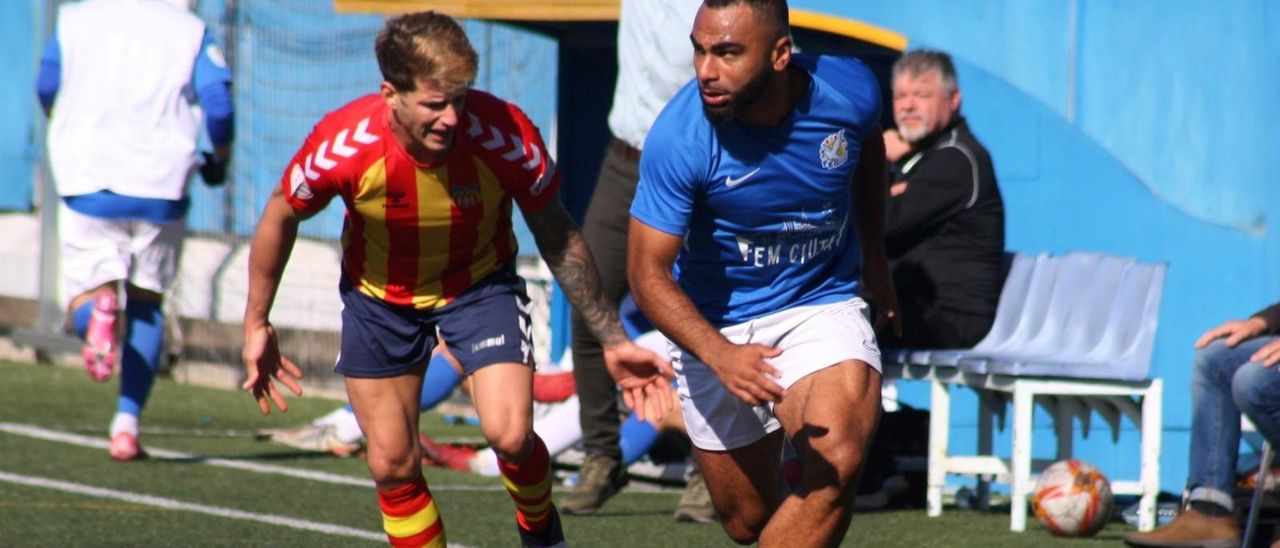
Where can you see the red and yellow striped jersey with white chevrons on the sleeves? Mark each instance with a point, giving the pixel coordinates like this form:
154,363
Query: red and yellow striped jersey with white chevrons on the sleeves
414,235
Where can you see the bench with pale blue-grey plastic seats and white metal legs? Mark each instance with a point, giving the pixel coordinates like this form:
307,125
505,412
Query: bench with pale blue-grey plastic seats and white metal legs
1073,334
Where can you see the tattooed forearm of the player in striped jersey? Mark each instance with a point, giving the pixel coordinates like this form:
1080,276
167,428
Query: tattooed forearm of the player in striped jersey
572,263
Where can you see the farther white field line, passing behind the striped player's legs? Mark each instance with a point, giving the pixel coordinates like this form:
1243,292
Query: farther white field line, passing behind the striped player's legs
84,441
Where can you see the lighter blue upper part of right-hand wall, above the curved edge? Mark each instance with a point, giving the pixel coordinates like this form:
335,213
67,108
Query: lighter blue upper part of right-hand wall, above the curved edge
1199,138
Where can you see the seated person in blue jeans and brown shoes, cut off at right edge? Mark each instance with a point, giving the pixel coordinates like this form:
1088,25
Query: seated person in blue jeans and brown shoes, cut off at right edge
1235,373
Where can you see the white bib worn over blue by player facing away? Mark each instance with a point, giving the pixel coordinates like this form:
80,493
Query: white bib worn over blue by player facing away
126,118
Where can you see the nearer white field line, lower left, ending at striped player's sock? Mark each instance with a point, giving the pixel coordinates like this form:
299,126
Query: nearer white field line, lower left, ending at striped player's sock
168,504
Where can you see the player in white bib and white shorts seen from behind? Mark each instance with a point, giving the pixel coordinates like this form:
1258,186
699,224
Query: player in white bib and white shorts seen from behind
121,80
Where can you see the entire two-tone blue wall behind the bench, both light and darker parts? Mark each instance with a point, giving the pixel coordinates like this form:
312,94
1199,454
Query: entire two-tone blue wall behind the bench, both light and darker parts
1133,129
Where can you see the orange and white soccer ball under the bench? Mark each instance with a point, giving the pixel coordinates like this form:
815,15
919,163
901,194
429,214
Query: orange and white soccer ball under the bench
1073,499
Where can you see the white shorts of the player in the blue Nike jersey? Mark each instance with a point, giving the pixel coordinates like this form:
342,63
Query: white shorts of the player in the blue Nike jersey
812,339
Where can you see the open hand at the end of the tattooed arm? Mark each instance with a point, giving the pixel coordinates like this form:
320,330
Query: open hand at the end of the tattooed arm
644,378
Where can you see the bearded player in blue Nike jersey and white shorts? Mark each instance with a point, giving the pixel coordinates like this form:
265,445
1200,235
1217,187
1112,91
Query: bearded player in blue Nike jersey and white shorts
756,227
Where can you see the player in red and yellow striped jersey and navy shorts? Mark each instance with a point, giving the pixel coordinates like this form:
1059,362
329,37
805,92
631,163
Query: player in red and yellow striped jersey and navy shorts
428,171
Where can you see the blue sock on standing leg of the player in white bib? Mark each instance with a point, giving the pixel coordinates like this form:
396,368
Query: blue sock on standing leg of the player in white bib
141,357
